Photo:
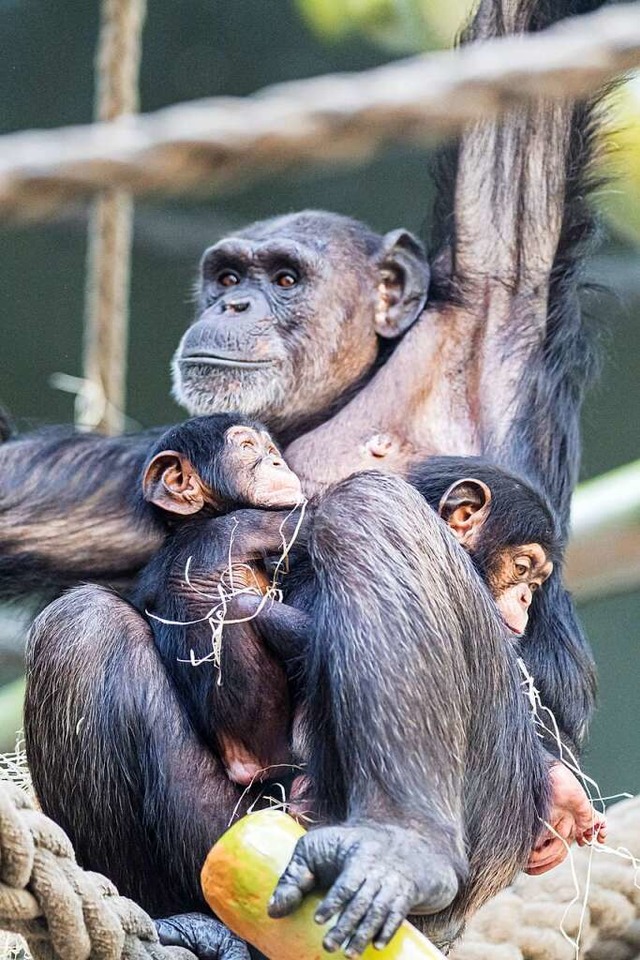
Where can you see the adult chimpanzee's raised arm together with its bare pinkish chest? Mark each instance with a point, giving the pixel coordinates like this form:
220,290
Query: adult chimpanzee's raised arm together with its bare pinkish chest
498,364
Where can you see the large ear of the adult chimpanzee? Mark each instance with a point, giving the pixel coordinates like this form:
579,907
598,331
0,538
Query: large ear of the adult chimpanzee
403,283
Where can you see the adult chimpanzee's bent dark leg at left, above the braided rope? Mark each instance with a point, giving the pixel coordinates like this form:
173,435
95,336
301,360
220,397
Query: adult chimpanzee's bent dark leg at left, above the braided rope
113,757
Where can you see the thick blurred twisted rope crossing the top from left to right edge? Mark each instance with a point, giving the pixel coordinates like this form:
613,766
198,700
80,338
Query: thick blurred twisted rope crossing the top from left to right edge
215,143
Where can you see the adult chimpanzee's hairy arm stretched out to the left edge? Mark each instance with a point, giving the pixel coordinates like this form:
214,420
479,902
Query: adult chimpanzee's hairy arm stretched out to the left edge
66,510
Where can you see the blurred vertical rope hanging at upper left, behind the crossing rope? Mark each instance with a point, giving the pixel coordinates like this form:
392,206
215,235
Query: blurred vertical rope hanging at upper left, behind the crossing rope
101,401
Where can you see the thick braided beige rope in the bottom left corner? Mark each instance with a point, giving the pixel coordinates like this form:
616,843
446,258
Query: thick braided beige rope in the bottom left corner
61,910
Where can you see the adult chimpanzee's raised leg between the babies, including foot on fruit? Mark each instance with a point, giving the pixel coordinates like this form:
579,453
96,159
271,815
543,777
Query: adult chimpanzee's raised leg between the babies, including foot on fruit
419,726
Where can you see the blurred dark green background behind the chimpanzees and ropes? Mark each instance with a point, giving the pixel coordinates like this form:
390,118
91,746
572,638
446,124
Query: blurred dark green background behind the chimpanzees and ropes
199,48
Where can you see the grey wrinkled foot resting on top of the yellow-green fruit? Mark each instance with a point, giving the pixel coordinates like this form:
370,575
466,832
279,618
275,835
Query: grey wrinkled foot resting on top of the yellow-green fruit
375,875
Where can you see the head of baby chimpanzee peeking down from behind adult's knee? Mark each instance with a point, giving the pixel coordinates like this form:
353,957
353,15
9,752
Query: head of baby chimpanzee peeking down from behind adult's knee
507,528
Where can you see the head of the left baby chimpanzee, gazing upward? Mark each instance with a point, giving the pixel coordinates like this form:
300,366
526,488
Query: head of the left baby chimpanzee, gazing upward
215,463
